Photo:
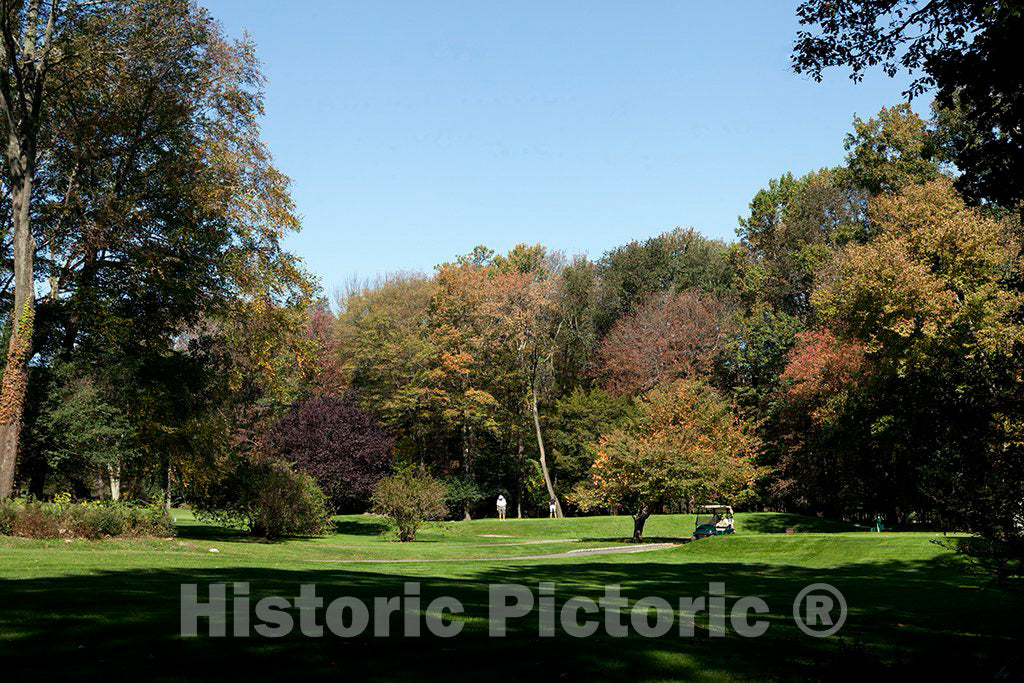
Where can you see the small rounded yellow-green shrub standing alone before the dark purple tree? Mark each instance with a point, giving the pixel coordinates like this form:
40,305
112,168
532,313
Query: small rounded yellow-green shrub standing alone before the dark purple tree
409,499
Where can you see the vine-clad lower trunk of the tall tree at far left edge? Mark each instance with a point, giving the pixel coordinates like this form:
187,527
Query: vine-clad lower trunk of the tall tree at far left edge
16,377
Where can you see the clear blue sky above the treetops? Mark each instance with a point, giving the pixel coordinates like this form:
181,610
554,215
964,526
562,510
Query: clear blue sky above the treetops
414,131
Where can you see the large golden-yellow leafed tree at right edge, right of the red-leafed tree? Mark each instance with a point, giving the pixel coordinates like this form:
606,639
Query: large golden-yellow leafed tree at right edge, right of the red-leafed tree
933,306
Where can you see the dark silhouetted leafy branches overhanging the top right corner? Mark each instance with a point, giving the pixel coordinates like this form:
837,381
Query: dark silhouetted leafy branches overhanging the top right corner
968,52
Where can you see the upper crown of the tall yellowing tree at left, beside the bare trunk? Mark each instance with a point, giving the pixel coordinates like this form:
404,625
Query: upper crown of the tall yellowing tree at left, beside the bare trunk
158,212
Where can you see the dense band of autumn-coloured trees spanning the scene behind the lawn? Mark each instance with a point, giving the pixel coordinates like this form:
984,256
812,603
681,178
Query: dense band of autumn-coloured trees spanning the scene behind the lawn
857,351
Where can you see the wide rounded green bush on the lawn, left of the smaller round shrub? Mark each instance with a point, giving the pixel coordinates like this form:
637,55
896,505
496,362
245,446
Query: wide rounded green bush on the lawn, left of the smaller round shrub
270,500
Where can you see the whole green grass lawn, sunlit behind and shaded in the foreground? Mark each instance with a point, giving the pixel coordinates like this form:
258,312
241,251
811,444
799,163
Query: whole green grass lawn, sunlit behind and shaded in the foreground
111,609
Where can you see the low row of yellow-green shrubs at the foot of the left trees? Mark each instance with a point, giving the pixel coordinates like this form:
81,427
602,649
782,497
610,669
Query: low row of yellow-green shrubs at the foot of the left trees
62,520
